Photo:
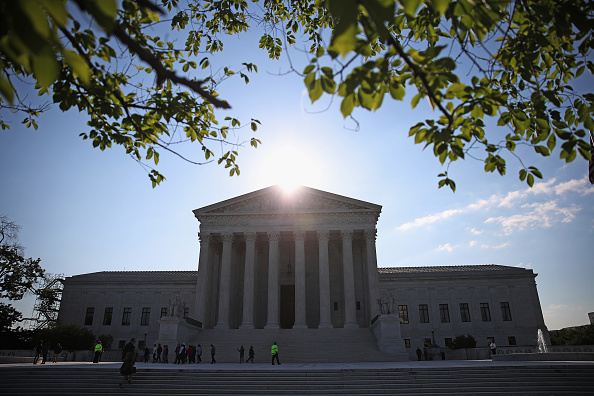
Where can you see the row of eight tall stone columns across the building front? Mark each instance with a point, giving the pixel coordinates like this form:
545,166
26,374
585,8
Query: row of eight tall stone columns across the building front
273,278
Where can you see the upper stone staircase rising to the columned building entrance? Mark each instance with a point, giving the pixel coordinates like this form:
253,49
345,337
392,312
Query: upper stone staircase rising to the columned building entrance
295,345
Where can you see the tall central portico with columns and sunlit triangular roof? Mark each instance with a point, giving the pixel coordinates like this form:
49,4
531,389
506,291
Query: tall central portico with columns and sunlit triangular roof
271,259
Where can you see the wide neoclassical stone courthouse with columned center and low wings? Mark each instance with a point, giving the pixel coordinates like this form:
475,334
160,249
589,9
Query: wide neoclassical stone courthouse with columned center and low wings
300,269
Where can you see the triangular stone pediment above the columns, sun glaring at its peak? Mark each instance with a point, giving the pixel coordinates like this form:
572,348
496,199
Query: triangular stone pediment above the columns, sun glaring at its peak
276,200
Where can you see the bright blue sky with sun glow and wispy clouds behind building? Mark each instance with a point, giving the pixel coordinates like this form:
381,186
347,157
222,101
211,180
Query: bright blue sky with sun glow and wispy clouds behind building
82,210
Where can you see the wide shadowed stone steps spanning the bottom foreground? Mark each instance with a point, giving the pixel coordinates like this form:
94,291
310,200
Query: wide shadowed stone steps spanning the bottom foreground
549,379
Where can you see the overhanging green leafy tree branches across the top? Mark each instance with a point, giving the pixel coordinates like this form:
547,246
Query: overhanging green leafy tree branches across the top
499,74
